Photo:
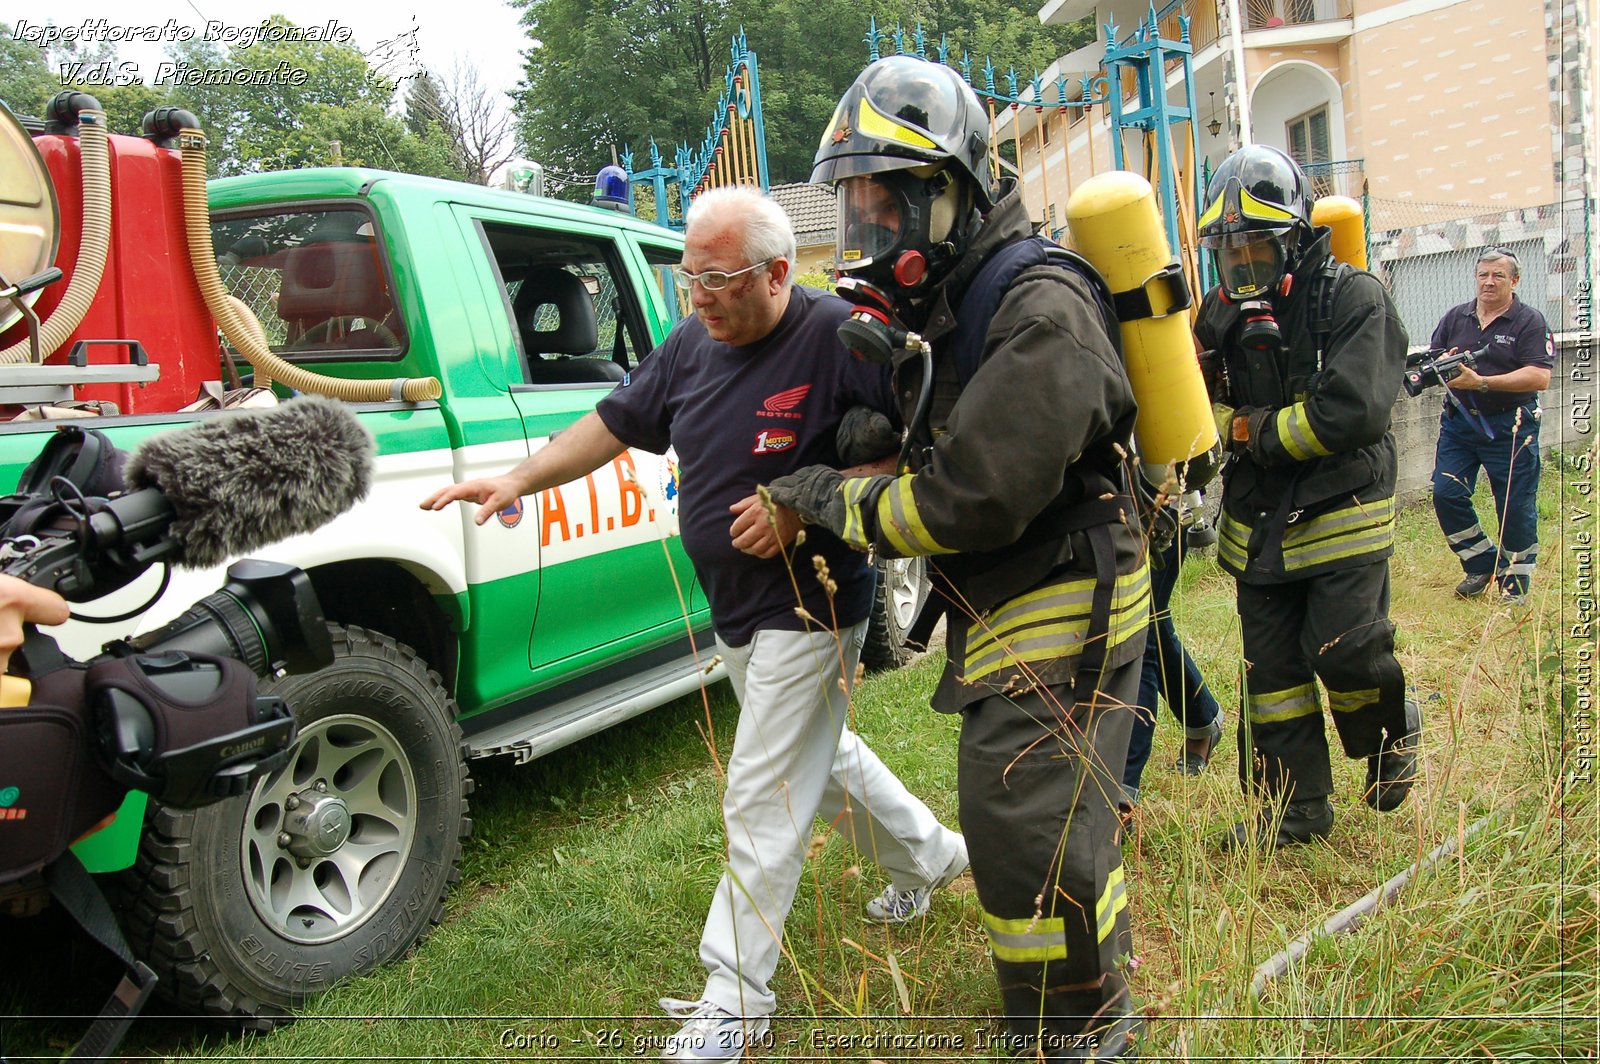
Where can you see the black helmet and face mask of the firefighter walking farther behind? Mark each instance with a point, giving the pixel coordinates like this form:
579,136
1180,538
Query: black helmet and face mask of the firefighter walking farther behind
1257,220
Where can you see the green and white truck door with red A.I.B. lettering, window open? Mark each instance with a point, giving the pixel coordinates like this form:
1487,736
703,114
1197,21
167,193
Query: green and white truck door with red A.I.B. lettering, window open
612,570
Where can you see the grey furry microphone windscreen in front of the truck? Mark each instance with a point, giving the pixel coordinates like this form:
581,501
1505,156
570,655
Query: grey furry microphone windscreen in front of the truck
239,482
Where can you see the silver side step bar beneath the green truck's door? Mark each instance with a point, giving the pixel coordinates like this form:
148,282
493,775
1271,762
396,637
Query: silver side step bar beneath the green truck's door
578,718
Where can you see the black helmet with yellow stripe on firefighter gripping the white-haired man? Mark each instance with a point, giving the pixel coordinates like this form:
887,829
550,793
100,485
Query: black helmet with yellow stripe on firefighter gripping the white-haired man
908,156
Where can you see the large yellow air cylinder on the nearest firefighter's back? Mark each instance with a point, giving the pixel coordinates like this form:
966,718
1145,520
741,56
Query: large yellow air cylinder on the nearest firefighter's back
1118,228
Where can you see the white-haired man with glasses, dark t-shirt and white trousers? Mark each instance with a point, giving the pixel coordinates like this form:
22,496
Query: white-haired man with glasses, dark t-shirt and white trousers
756,386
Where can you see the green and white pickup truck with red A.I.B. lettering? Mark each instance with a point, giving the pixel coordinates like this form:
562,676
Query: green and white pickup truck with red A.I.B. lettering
564,617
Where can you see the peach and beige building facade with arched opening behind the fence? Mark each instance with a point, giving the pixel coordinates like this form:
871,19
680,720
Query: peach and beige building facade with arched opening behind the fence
1460,122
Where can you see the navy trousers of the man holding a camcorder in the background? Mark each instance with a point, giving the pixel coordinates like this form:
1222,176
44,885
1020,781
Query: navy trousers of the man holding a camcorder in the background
1511,463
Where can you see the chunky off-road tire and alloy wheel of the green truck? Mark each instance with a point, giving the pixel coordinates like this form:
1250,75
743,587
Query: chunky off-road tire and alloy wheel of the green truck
206,924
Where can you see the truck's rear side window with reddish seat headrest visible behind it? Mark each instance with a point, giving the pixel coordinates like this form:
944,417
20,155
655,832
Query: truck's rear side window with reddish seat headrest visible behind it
316,279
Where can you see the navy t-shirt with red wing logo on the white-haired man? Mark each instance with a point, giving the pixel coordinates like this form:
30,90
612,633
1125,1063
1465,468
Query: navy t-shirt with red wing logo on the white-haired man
740,417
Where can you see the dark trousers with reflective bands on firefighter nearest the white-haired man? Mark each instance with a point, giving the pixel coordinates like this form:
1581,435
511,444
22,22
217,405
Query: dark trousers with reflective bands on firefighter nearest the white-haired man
1028,777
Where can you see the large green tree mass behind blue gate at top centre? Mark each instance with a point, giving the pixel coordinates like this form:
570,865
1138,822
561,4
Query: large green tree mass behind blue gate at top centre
655,68
